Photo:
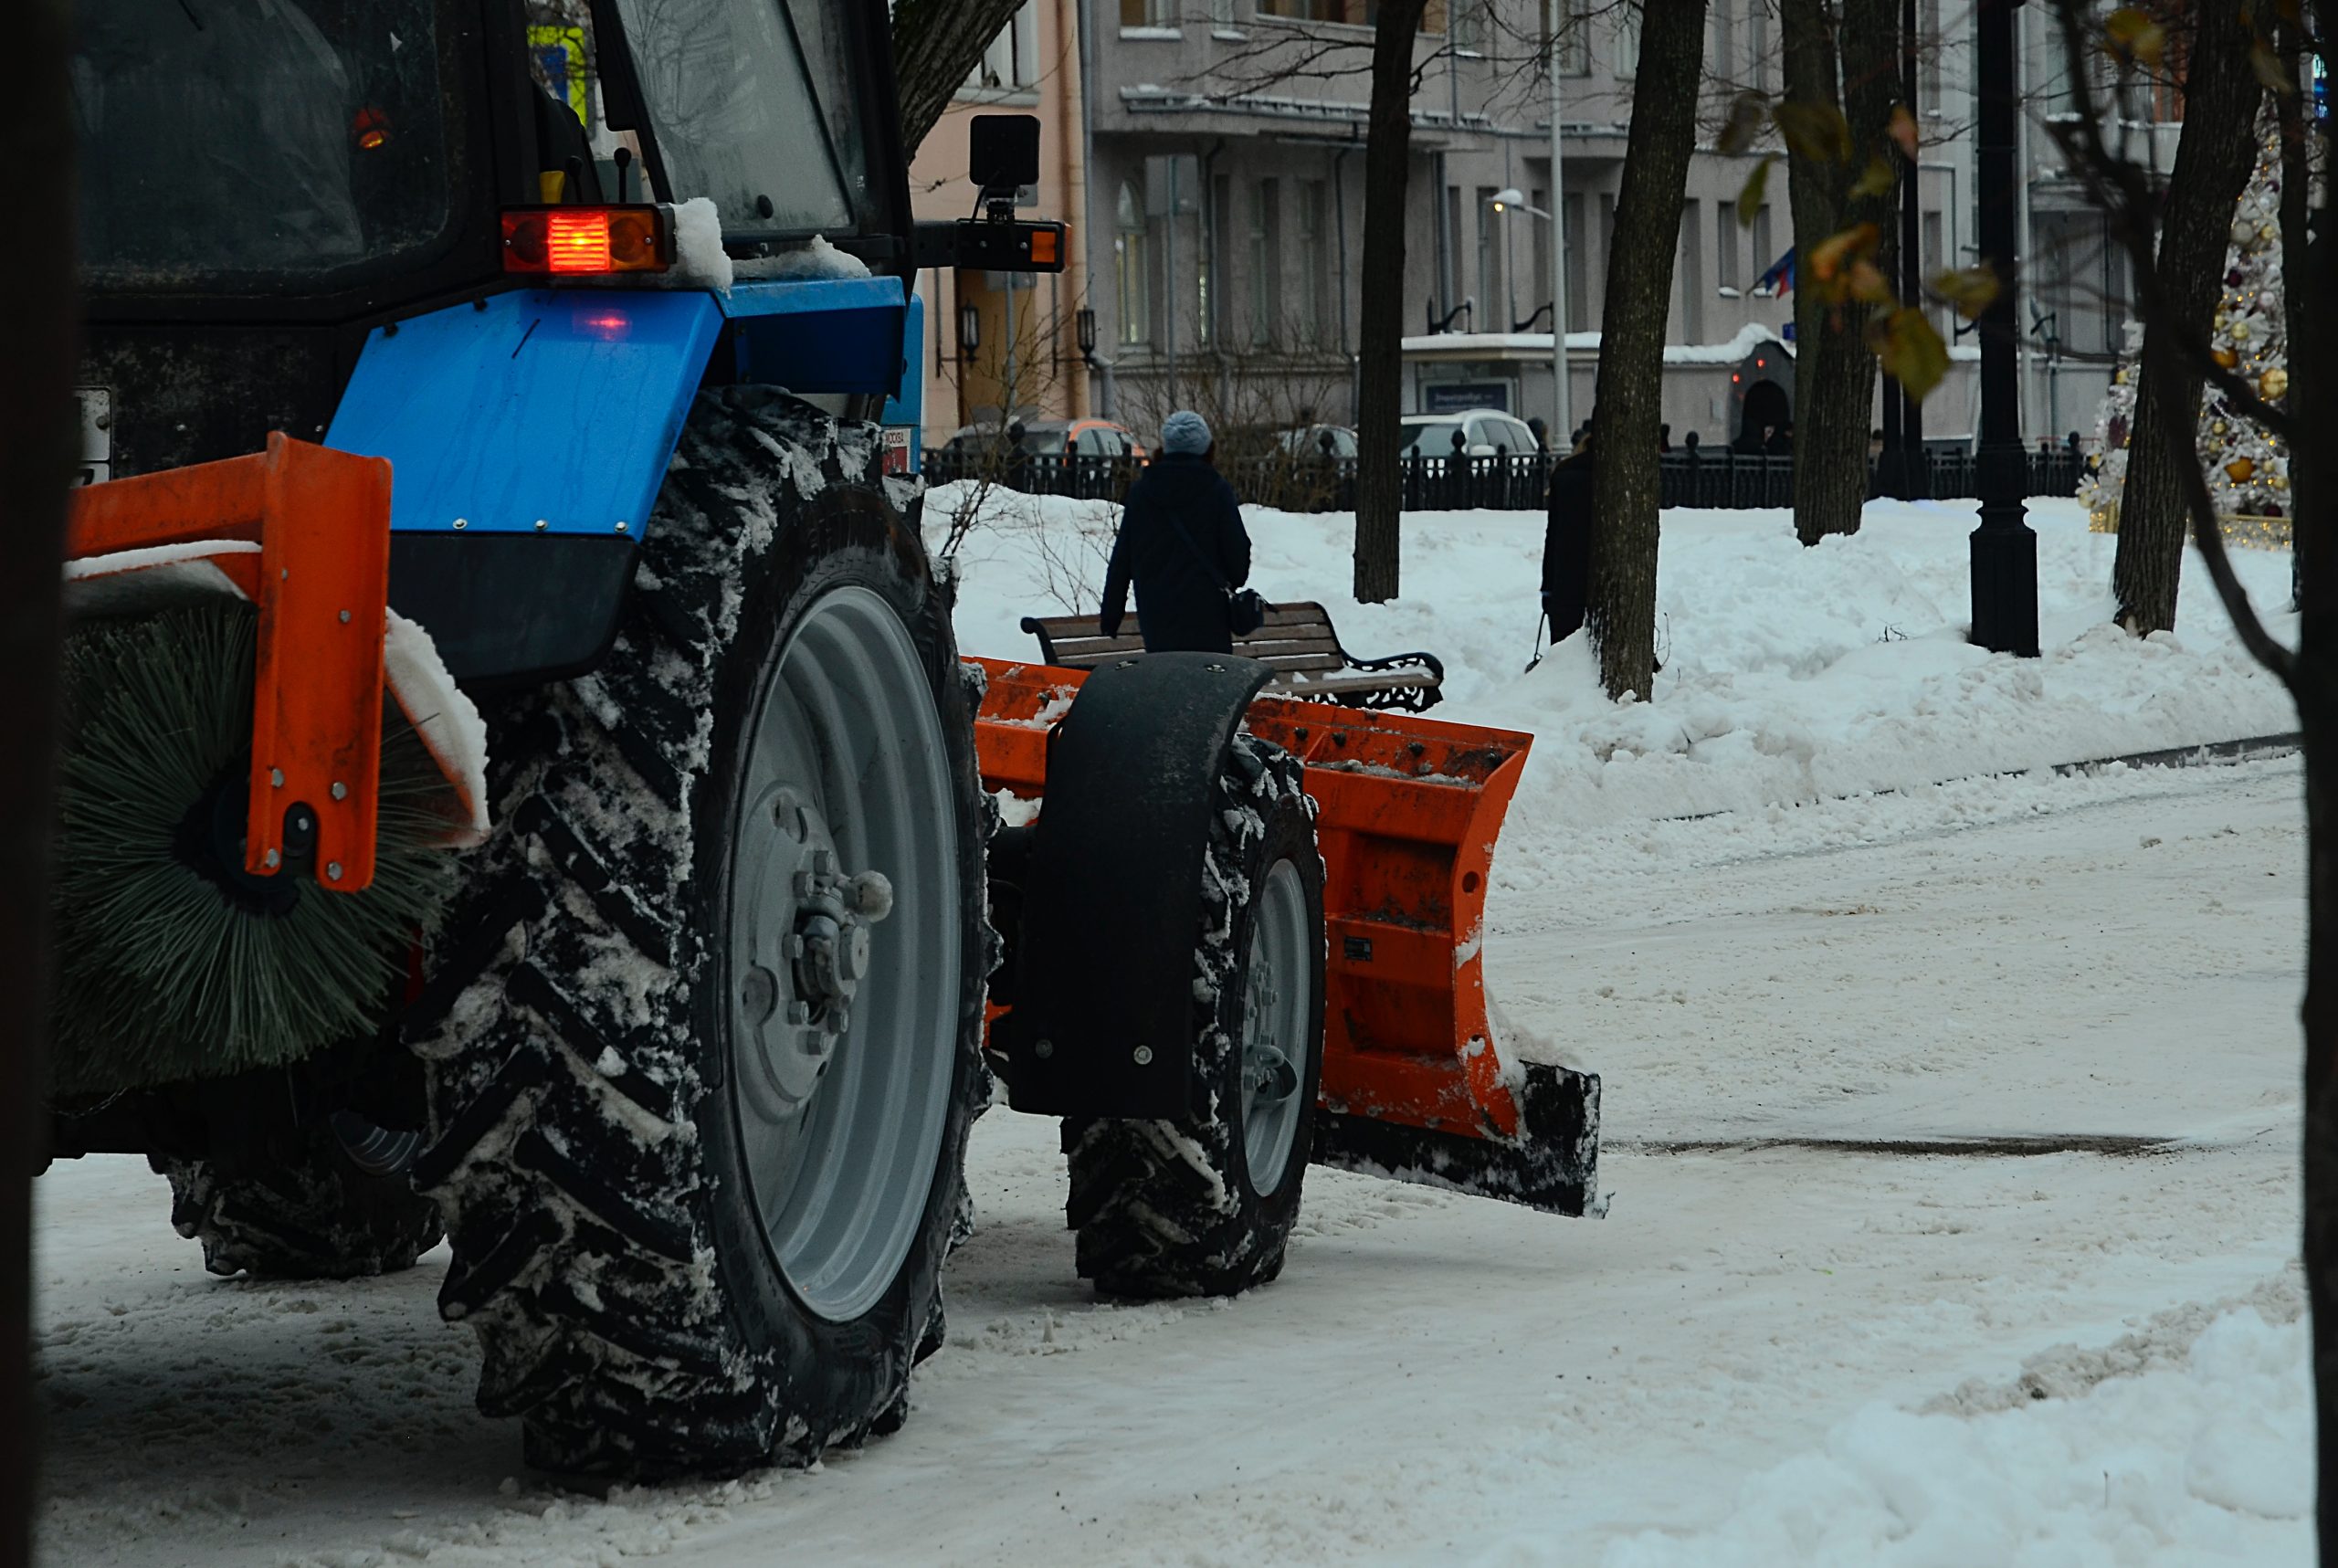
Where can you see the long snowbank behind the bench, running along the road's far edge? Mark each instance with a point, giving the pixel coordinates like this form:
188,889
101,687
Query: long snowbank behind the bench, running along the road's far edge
1790,674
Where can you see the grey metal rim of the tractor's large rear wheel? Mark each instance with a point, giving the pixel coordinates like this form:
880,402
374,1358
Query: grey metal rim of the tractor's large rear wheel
843,1088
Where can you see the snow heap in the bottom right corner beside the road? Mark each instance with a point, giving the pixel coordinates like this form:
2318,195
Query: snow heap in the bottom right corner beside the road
2208,1462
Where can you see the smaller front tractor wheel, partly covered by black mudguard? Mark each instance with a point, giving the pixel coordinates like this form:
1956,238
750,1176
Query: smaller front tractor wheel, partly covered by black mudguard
1205,1205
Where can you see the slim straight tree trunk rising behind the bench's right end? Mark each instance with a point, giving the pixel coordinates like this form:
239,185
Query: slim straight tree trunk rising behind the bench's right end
1381,354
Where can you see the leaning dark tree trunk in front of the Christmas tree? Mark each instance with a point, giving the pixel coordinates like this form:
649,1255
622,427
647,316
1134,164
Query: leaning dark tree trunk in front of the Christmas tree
2197,226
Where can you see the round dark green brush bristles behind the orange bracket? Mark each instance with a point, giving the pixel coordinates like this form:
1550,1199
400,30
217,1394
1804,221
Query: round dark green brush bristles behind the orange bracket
160,973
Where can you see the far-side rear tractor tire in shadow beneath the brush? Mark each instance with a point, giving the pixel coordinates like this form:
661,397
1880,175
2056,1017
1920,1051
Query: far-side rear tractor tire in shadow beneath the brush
336,1212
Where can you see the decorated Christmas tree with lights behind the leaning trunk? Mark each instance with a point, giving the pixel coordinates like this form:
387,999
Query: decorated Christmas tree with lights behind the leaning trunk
2248,476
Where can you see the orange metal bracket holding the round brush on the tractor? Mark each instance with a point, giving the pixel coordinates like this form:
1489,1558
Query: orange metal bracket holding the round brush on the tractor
321,581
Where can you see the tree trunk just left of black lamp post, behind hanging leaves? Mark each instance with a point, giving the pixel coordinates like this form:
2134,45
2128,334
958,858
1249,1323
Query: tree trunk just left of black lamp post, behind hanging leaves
1834,373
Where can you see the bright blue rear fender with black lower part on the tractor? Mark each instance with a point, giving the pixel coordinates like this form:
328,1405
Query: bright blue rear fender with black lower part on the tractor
530,436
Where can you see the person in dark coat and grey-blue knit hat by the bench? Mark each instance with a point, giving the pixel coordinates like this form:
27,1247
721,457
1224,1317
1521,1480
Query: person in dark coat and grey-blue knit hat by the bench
1182,546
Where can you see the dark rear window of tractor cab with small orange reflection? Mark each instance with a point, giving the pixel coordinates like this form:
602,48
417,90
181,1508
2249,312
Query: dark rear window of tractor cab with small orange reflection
258,144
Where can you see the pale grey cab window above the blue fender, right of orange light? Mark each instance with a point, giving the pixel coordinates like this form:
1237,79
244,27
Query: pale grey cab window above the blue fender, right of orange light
752,104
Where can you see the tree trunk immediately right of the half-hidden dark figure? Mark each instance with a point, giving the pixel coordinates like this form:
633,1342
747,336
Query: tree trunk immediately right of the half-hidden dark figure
1631,396
